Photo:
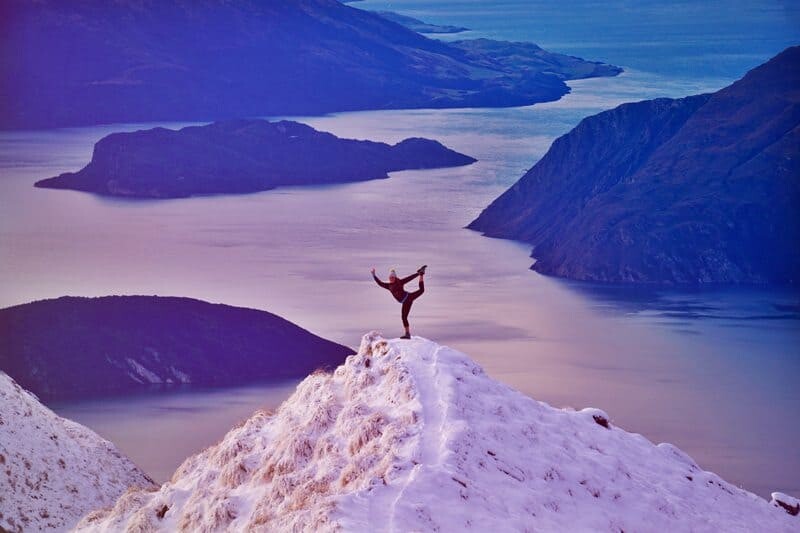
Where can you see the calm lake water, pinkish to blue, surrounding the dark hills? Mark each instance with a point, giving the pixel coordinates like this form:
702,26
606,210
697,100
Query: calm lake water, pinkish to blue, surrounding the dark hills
712,371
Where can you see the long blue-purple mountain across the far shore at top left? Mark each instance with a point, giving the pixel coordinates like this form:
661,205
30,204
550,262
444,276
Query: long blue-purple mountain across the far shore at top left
93,62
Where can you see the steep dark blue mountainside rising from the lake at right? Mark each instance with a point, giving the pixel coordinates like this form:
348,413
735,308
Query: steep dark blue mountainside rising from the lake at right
703,189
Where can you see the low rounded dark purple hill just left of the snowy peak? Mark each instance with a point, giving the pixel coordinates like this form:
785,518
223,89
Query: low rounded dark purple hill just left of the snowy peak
72,347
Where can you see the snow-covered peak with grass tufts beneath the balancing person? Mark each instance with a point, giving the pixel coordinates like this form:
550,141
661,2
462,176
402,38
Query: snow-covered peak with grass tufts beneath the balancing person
413,436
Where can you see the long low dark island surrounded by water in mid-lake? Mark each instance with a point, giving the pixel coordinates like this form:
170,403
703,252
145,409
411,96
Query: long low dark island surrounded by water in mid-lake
241,156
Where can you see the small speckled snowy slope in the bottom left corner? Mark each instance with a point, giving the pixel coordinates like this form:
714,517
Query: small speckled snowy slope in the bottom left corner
53,470
